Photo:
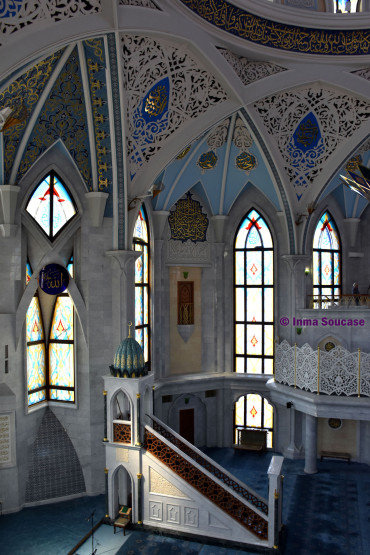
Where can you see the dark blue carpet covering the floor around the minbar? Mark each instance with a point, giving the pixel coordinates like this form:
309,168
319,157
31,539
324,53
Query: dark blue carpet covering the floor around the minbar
325,514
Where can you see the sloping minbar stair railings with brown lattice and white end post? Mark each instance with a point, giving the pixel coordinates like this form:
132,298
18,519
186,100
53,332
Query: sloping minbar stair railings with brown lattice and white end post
261,517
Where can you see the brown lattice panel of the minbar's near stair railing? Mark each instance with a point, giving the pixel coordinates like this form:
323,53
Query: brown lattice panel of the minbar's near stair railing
207,487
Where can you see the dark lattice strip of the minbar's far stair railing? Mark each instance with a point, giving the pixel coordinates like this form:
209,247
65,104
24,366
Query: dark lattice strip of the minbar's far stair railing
227,480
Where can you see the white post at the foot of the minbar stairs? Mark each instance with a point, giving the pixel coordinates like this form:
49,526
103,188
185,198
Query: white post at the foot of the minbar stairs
275,500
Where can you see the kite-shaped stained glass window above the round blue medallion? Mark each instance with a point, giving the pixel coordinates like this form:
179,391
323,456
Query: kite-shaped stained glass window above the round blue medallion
51,205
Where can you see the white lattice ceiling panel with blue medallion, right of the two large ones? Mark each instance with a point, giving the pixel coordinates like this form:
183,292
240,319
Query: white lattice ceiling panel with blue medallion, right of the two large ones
308,125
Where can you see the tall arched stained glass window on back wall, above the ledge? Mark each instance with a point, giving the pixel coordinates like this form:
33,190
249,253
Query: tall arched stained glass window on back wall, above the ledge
254,296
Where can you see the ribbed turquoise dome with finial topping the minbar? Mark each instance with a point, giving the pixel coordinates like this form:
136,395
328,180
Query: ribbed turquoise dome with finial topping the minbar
129,359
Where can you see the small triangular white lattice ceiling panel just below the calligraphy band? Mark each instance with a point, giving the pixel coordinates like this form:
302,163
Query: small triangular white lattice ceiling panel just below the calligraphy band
248,71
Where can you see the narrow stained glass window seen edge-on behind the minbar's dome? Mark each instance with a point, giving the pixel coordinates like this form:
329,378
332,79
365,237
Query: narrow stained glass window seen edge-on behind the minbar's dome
142,289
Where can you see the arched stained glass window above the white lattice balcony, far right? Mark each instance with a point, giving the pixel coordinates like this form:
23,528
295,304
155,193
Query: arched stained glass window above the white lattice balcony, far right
326,261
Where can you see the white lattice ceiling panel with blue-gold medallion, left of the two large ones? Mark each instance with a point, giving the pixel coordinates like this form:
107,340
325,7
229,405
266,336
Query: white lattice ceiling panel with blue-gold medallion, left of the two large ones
165,87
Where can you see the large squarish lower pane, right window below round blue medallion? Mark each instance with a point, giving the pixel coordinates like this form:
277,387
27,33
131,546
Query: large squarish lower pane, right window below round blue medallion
61,364
